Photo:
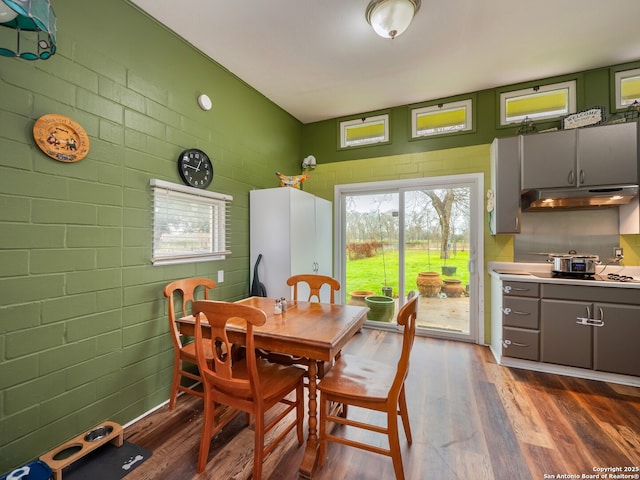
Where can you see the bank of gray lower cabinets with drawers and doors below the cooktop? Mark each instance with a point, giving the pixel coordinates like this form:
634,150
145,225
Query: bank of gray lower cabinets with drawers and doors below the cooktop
589,327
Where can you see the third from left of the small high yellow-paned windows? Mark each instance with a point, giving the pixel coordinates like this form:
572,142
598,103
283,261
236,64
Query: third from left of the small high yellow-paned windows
538,103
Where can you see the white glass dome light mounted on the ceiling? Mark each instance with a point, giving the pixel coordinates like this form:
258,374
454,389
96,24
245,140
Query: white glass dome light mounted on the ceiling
390,18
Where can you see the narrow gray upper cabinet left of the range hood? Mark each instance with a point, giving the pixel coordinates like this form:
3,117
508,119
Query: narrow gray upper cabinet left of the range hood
505,182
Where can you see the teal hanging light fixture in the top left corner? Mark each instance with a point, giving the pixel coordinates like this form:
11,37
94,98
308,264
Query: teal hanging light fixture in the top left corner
35,24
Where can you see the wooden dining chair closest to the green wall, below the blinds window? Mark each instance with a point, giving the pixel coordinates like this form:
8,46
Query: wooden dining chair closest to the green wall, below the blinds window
181,295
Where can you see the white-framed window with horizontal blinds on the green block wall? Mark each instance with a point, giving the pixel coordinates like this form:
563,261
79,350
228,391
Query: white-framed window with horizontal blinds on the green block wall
189,224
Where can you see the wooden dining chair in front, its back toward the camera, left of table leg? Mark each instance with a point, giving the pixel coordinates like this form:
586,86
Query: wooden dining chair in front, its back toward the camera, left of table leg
250,384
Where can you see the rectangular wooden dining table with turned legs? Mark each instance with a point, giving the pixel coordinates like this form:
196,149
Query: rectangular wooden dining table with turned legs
316,331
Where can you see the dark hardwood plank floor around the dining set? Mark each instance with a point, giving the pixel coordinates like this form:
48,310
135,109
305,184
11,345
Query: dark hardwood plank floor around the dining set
470,419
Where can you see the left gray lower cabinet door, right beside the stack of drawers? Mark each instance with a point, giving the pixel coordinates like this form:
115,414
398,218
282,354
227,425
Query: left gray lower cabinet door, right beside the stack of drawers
563,340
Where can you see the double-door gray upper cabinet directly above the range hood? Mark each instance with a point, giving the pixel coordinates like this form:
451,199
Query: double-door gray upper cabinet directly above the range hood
590,156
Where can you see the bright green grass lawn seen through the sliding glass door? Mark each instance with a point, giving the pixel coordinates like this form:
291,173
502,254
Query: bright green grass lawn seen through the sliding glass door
369,273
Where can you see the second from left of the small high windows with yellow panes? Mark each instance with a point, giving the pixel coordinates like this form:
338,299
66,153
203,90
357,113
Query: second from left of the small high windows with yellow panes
441,119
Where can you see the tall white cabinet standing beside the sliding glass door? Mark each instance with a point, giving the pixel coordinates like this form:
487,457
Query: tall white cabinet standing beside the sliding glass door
292,230
